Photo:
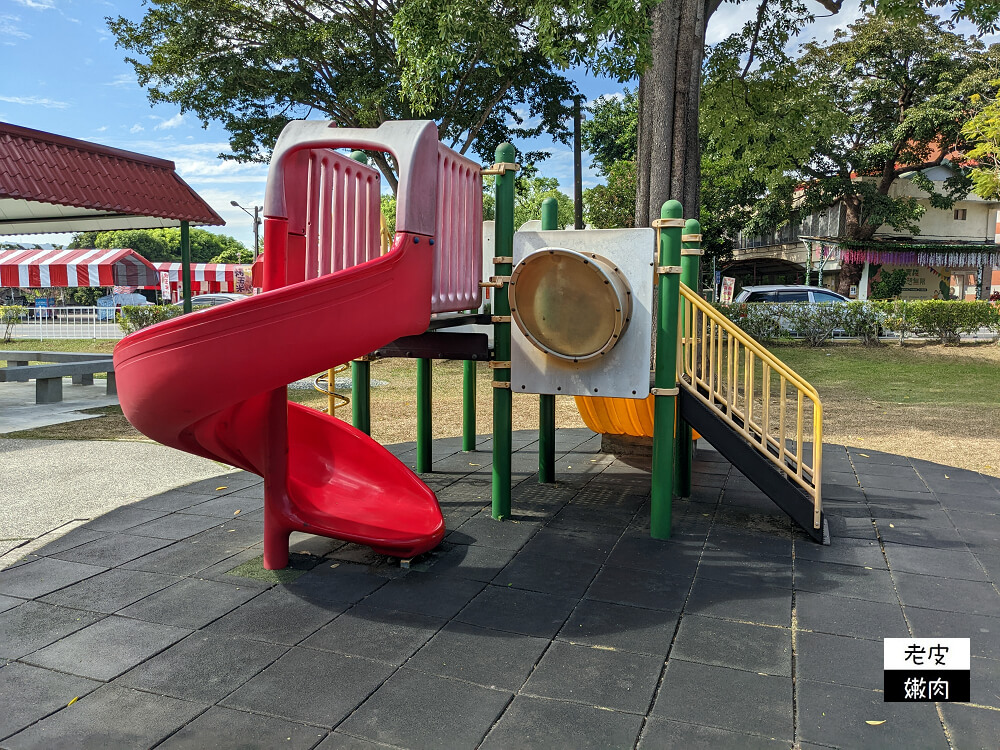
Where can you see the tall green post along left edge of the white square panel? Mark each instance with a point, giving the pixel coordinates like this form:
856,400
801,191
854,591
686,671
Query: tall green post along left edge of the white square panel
503,247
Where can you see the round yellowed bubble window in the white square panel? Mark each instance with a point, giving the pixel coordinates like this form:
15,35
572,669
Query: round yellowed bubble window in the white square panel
570,305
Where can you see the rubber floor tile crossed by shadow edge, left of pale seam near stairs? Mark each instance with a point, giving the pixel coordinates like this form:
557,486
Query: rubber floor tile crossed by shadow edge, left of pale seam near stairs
747,602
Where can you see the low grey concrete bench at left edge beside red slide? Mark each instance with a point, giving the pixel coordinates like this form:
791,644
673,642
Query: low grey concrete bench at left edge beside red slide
48,377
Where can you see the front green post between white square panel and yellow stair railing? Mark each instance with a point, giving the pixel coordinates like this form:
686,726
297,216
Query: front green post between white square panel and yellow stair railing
665,377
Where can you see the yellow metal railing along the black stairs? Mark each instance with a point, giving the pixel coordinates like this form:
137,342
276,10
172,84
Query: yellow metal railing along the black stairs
753,391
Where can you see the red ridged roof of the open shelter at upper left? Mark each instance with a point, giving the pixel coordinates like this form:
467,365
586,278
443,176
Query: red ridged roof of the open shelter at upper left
47,168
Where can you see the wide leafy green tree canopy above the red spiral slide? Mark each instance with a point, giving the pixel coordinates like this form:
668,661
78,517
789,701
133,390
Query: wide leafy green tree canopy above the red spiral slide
253,65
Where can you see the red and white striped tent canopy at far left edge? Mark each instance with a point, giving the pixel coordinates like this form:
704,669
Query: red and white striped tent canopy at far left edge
69,268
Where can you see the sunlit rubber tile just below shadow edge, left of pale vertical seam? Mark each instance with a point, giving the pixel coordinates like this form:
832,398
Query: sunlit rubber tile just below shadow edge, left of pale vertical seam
753,648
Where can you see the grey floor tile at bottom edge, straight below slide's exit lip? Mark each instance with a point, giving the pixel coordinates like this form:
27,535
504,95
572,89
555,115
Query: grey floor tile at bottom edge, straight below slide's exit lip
416,710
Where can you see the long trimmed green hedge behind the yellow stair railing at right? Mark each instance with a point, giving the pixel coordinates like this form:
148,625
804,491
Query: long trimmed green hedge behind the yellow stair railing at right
945,320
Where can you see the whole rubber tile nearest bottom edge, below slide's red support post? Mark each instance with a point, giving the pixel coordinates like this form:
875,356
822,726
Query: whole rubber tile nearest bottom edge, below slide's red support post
304,685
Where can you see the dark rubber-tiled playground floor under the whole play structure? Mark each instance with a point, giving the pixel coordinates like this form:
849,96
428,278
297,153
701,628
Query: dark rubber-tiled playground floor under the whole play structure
567,627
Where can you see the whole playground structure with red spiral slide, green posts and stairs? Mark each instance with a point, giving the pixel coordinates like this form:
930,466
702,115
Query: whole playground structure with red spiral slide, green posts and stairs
323,261
